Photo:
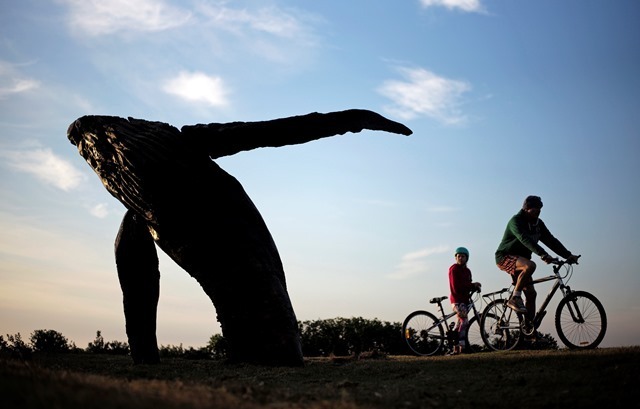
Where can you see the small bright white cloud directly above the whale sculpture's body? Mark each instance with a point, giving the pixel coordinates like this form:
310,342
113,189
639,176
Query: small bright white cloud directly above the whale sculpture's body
198,87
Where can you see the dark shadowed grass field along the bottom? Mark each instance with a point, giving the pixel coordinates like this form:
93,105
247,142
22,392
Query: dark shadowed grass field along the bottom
601,378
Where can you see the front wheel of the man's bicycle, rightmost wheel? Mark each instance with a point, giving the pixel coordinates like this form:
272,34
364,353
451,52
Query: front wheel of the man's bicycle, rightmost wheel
580,320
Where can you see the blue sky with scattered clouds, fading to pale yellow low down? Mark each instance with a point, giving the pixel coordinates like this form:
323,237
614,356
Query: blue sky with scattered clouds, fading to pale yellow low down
505,99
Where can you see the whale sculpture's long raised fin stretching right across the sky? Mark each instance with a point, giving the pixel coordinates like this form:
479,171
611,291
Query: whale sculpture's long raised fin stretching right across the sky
230,138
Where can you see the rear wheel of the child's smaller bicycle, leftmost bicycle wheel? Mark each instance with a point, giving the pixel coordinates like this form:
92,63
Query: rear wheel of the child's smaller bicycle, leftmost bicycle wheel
423,333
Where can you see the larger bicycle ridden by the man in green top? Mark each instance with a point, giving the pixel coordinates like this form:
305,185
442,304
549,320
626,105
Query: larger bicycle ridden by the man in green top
581,321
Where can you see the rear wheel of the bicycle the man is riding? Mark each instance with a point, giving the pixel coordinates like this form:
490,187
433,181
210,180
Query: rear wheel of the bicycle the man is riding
500,326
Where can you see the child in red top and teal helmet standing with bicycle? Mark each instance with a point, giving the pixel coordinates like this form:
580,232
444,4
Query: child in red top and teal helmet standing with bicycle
461,286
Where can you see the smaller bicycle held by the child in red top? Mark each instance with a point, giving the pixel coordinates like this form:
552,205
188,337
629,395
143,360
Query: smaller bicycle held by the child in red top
427,335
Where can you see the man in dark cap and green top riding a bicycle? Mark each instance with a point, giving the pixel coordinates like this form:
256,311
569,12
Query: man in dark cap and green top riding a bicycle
513,255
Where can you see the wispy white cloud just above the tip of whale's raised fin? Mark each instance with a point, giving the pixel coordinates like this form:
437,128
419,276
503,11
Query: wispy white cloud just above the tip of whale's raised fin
425,93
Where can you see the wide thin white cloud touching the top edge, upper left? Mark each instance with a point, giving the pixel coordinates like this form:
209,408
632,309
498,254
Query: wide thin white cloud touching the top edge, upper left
99,17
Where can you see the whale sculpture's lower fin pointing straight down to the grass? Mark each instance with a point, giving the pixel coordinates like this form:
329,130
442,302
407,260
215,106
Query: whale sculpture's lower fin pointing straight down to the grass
137,264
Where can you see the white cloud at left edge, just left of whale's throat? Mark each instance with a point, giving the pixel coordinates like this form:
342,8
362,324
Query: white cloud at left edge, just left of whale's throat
46,166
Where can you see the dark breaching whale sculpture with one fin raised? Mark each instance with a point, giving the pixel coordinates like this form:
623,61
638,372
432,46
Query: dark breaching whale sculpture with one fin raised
178,198
